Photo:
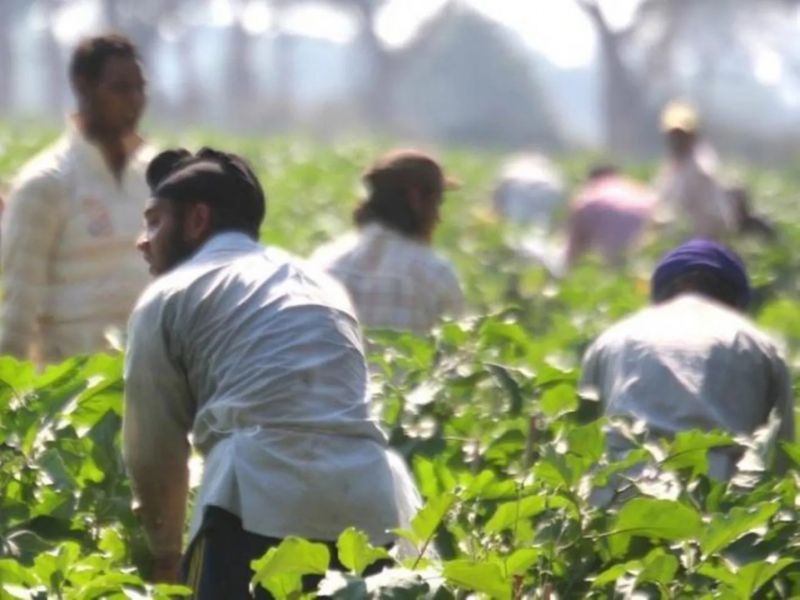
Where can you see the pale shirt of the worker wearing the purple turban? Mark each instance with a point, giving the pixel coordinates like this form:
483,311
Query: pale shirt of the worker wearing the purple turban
690,363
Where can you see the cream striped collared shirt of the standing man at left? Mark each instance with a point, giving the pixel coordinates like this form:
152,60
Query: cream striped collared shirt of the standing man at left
70,268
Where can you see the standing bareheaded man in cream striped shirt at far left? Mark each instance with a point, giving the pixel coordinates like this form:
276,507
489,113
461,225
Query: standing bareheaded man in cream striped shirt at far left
69,263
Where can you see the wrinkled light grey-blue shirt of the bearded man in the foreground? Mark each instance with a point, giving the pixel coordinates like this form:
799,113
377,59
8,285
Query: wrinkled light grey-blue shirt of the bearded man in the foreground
260,357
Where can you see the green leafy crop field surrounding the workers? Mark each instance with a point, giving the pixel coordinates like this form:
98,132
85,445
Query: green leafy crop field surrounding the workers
485,410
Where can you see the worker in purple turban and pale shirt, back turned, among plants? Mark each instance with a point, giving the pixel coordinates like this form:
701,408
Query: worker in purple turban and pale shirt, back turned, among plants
692,360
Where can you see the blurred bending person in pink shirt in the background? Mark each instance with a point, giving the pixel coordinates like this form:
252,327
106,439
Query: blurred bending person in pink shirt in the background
608,216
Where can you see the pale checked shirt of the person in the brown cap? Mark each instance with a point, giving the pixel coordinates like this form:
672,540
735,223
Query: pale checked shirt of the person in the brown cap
395,282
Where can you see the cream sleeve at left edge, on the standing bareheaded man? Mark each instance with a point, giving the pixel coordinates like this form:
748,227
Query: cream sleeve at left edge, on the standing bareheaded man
31,229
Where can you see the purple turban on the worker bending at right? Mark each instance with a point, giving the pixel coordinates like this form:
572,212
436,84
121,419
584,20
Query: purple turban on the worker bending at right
704,255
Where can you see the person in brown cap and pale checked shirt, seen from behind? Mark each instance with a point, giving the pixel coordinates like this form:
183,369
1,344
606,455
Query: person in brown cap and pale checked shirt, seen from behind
393,276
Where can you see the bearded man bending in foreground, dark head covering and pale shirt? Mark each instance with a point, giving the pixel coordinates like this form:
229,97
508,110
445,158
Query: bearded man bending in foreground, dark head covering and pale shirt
259,357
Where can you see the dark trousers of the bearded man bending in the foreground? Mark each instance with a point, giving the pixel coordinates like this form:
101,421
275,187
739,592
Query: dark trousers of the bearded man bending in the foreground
217,564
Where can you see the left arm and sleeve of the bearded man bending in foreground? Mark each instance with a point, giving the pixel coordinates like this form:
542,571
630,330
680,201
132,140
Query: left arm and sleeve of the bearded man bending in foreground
157,419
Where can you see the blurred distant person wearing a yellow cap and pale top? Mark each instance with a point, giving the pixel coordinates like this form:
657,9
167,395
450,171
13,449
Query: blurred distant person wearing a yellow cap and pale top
688,186
